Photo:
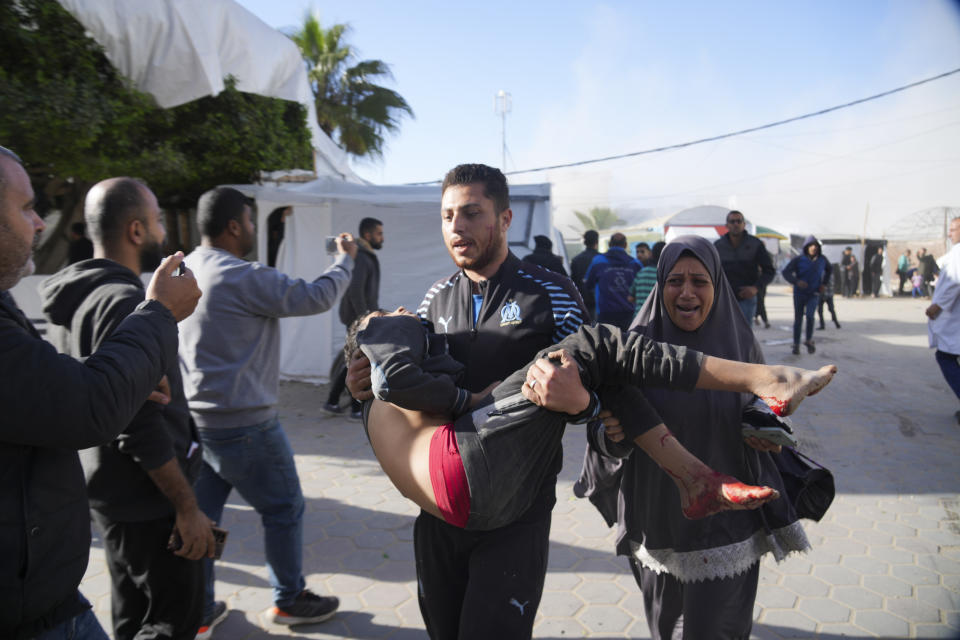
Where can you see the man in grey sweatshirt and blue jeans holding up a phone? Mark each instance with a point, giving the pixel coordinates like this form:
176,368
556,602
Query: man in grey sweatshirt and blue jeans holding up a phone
229,354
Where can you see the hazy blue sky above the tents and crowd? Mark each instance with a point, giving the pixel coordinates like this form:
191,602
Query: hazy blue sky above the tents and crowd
592,79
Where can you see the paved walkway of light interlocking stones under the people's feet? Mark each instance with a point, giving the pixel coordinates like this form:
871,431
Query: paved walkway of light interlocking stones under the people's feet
886,558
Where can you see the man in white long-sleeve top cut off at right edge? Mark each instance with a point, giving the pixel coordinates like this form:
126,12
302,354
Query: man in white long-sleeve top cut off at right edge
943,327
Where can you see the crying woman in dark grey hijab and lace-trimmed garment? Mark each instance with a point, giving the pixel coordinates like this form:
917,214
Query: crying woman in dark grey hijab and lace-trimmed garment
698,577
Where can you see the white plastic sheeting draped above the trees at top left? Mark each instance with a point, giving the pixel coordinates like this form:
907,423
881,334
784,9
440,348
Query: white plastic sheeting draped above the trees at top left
181,50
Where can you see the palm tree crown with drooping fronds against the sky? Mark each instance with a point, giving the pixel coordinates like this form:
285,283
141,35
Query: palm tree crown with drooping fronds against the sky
351,108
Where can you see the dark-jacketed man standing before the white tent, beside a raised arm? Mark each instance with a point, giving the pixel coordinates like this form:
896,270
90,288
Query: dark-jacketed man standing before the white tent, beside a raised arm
361,297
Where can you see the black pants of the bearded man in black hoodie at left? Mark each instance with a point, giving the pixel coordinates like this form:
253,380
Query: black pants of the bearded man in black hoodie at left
155,594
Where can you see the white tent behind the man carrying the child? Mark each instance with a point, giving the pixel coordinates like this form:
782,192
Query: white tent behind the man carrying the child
412,258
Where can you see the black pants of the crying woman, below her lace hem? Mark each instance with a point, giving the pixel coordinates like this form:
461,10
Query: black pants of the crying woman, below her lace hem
716,609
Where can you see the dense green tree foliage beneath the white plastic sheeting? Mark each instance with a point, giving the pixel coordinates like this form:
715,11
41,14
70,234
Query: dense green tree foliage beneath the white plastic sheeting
75,120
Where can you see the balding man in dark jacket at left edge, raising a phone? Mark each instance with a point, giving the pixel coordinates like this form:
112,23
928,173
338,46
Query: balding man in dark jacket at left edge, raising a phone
54,405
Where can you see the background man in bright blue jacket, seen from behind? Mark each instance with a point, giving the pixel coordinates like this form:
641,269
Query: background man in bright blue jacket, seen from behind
611,274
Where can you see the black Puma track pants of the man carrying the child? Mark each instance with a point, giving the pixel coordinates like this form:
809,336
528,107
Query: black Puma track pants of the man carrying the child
480,585
